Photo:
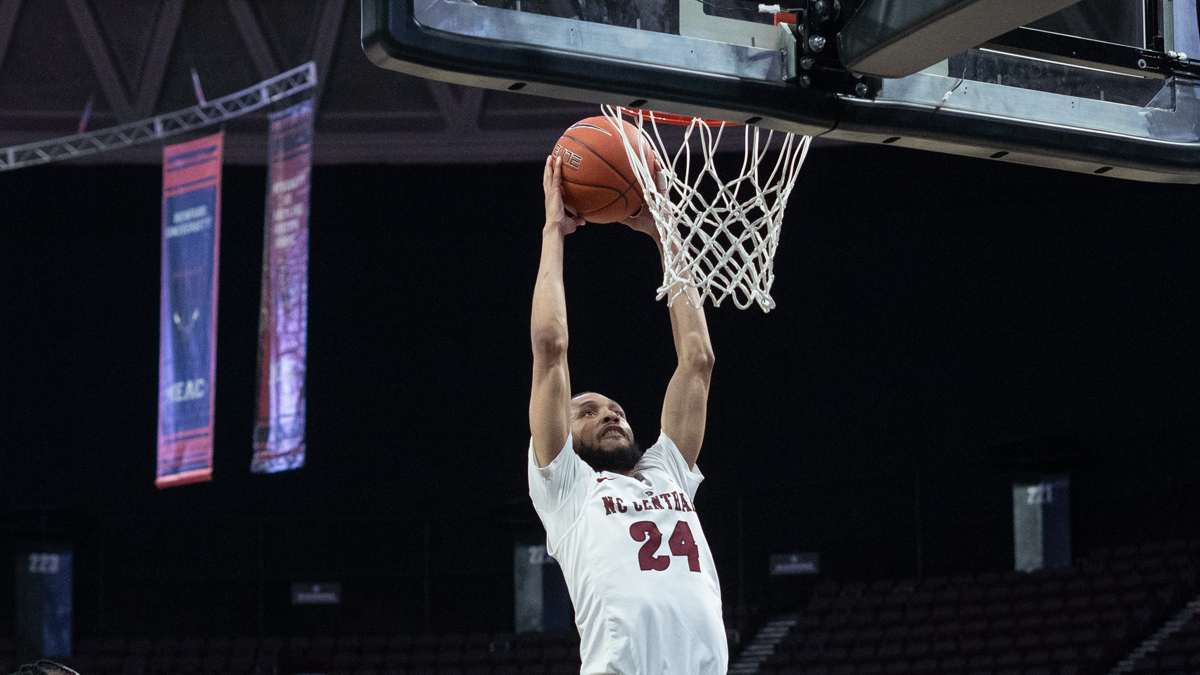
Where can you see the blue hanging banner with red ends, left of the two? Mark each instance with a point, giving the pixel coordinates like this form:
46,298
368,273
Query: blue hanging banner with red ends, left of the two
188,350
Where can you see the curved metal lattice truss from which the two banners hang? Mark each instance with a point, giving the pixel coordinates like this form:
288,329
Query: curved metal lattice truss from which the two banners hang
165,126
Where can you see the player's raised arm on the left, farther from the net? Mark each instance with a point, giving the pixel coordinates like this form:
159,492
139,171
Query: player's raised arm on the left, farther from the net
550,403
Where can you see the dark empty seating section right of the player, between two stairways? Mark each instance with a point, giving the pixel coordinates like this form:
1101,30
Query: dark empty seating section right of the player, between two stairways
1075,622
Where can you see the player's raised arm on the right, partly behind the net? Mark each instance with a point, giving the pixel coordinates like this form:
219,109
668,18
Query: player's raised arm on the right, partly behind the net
686,407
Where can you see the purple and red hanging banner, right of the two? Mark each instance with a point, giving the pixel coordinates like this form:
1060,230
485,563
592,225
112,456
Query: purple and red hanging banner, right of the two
284,314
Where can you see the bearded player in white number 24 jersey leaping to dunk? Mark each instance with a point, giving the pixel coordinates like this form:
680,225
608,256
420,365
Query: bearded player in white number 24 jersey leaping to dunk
620,522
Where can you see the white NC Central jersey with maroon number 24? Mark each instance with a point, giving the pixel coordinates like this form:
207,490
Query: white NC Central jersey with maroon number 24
638,566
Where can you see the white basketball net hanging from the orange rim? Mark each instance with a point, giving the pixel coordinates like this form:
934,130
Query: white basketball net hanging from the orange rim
719,235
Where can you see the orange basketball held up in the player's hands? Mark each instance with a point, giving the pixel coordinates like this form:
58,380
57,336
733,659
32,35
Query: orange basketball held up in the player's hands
599,184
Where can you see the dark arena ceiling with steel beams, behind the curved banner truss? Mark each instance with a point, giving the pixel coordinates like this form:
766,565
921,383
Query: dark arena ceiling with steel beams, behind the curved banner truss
135,58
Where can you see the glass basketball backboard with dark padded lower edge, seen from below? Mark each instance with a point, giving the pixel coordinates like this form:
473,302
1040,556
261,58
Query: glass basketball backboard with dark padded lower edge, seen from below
1103,87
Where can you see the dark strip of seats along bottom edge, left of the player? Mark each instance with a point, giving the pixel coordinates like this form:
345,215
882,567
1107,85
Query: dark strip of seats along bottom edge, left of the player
477,654
